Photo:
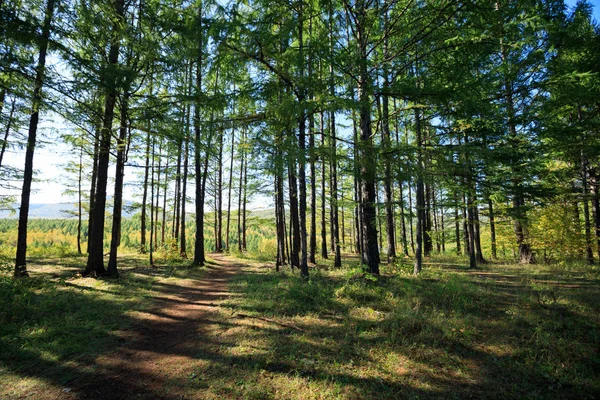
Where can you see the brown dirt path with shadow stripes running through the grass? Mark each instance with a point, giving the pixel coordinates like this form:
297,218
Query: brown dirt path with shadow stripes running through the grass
160,353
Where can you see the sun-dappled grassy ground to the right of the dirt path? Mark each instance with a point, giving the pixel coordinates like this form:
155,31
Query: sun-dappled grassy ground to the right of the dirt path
503,331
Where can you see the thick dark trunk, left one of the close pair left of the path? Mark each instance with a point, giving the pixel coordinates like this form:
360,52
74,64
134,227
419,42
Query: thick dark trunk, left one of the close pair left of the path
95,262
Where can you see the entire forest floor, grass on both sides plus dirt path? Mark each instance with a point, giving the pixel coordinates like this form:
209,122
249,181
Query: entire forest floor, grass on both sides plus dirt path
236,329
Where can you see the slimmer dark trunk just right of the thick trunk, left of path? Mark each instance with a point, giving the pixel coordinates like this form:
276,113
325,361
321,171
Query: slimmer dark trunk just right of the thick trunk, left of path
115,240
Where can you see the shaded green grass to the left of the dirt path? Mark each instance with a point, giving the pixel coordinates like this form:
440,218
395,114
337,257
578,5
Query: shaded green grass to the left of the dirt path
54,324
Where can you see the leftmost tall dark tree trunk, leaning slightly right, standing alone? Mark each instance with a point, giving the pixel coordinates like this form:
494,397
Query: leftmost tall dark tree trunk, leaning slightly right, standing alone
21,256
